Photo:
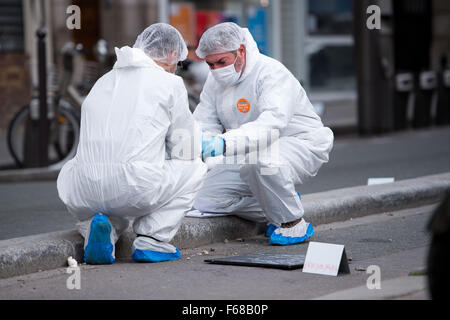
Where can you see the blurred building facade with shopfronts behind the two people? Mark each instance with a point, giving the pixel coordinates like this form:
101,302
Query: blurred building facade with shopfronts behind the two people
315,39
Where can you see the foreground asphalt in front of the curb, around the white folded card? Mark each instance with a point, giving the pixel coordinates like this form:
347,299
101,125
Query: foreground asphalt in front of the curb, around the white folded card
395,242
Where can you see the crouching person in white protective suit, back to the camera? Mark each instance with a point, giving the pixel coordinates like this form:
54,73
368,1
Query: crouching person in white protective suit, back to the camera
139,153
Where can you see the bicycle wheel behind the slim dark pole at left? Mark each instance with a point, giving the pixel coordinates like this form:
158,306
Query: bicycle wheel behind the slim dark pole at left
63,138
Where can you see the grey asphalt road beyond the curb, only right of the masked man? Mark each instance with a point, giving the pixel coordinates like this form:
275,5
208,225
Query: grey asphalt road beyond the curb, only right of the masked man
402,155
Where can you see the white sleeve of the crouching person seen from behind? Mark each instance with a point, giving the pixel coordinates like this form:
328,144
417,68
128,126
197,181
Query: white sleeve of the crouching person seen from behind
183,140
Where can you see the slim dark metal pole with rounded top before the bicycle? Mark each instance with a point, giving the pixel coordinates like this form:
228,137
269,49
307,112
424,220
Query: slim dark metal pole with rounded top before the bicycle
43,119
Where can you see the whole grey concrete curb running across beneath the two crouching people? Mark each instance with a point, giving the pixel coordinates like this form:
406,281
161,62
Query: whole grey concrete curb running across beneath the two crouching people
48,251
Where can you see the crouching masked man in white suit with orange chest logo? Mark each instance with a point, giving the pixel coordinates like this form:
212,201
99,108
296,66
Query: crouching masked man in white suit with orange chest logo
261,136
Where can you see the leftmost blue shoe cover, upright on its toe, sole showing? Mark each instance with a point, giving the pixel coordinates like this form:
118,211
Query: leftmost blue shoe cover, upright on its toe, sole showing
99,249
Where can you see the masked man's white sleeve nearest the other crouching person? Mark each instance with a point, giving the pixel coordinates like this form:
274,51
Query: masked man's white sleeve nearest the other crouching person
206,112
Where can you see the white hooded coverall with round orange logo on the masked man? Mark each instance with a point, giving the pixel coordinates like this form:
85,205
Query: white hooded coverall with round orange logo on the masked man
267,97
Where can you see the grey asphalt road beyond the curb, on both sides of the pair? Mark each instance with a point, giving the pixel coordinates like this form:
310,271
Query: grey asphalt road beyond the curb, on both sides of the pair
33,208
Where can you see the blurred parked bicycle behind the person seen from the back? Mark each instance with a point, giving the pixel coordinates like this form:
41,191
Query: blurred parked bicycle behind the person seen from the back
64,110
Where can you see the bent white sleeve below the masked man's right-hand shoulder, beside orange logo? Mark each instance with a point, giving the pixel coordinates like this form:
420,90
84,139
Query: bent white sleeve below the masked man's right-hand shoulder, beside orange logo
279,97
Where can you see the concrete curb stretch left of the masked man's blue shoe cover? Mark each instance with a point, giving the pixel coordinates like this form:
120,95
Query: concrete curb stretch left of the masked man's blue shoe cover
50,250
